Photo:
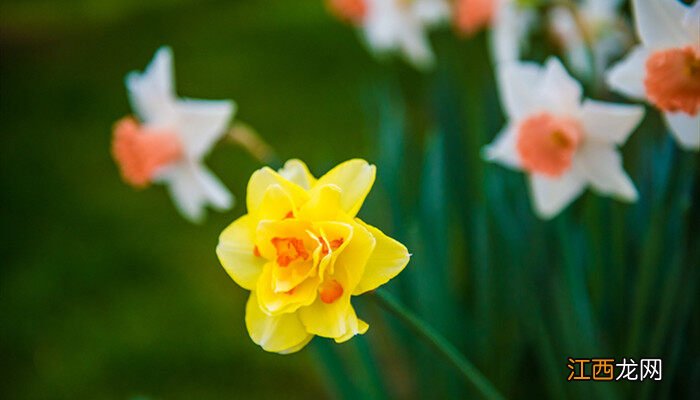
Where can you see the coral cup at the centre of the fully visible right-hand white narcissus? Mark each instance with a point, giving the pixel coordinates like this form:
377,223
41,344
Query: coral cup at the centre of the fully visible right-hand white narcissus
547,143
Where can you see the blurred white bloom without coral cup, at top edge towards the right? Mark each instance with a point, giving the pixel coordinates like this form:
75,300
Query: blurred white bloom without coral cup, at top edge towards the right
602,26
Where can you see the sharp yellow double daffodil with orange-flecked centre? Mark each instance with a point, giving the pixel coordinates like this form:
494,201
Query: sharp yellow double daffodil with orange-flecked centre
303,254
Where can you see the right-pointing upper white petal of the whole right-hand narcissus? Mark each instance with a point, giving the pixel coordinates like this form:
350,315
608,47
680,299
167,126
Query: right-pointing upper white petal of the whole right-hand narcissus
609,122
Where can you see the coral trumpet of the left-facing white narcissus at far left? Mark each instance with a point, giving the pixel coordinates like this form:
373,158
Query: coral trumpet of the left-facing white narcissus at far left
140,152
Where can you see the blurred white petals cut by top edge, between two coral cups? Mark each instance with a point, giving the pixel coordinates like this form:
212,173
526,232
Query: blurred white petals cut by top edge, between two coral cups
402,26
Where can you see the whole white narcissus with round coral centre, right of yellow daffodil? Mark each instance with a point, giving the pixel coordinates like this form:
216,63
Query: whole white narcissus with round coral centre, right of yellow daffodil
563,144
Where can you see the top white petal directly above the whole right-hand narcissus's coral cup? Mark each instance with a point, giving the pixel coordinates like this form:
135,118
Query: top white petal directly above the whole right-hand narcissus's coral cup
560,92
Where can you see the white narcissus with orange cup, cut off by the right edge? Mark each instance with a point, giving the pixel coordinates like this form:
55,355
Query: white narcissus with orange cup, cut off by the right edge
665,69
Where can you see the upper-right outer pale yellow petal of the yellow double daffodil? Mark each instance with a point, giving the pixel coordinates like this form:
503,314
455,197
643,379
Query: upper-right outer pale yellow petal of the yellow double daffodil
355,178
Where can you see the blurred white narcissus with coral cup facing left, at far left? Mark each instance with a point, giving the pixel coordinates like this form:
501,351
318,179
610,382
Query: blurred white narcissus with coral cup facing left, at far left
171,136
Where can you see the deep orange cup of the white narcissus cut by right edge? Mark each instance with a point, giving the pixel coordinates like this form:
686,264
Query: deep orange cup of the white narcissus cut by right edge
672,79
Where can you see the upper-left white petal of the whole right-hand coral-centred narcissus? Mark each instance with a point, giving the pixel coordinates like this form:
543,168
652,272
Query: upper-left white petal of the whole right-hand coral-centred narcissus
517,83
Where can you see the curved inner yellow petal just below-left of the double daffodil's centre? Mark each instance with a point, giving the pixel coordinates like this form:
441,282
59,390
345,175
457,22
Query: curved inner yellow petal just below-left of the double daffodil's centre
278,303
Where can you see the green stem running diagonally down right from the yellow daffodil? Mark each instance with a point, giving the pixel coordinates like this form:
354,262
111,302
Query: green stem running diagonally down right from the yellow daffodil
438,343
